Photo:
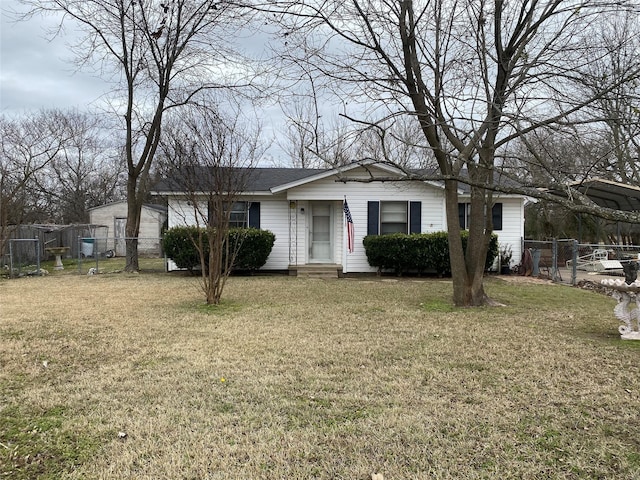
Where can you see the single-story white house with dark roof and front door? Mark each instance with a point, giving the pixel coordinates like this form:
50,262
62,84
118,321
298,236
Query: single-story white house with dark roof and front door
304,209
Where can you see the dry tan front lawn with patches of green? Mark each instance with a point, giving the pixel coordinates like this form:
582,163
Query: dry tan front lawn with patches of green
294,378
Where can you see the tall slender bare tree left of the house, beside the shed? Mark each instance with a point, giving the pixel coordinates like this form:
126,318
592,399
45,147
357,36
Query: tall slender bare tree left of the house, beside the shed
162,54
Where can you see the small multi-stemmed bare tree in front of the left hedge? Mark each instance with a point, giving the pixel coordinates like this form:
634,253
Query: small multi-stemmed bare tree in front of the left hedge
211,158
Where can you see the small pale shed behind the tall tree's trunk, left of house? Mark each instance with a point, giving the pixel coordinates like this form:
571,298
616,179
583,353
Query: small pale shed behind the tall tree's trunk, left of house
114,216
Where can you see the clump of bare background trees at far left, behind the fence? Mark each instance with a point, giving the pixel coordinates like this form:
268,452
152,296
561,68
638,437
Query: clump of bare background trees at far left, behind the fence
54,165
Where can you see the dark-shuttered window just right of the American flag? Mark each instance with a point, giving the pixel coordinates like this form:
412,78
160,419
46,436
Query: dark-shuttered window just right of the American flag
393,217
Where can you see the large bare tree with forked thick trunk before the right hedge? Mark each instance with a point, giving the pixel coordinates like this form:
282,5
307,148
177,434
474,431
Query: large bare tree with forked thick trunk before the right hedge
473,74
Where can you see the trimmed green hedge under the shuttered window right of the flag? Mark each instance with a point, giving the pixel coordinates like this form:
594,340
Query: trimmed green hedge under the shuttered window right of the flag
417,252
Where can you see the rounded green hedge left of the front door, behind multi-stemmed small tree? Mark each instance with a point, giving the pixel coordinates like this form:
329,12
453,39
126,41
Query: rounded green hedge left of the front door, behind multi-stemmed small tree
179,244
